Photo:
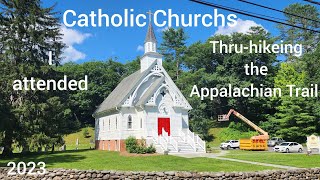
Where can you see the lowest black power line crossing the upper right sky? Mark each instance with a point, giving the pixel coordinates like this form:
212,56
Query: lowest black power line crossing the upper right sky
247,14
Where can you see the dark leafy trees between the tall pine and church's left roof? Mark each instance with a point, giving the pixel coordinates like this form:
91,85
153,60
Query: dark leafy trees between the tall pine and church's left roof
103,78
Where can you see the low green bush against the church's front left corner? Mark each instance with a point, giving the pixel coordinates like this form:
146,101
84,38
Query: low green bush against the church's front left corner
132,146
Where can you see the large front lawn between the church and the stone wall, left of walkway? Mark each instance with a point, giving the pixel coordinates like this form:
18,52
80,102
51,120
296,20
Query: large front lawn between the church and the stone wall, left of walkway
104,160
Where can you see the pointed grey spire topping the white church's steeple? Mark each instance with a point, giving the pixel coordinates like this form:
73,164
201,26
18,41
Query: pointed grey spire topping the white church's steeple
150,43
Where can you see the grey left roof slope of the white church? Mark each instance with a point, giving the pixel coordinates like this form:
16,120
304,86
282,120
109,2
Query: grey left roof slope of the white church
122,91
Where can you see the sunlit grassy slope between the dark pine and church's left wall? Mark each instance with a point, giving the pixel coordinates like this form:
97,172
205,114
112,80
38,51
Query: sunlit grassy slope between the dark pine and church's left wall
84,143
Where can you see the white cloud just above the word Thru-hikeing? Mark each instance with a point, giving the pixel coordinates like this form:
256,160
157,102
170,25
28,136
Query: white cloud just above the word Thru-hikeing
243,26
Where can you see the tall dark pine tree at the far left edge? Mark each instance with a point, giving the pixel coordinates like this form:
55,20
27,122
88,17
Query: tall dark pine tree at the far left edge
28,32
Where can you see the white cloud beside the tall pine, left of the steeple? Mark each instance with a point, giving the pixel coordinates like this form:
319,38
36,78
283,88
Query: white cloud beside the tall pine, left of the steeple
72,37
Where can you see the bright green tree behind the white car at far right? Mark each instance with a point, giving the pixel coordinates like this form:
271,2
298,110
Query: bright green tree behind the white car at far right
293,114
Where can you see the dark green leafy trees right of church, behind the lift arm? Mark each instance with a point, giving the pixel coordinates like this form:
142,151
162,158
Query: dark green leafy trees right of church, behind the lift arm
208,69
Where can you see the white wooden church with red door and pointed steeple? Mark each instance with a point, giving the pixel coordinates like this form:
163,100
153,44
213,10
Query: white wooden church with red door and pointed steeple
149,106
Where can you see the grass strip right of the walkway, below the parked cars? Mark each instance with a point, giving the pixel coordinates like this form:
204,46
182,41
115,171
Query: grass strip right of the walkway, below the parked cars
290,159
